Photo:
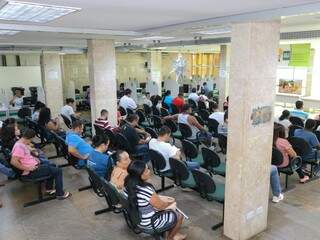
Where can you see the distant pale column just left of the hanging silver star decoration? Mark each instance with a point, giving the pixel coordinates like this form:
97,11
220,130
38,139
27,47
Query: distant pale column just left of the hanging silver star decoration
156,69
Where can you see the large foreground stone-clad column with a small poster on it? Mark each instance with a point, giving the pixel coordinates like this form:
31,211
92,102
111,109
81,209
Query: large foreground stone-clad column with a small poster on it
253,70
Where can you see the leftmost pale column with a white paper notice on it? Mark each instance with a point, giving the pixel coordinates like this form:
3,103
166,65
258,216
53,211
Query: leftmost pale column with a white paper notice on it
52,81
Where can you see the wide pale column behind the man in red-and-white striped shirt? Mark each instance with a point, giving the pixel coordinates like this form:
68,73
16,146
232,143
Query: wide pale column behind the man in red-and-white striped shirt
102,77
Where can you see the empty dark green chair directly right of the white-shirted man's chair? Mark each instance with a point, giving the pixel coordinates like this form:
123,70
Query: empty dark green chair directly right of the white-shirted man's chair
181,174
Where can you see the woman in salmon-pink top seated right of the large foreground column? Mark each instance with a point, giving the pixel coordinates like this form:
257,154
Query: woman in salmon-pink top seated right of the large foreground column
283,145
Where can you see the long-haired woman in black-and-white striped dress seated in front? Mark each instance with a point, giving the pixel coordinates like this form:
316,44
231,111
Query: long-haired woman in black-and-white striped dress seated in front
146,202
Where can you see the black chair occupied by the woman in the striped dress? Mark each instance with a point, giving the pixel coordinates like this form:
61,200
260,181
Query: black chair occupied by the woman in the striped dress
133,220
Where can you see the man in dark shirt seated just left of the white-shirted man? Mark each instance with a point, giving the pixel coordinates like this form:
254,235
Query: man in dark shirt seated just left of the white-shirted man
131,131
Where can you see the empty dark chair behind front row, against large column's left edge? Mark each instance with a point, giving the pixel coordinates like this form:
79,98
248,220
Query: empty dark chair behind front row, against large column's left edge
212,162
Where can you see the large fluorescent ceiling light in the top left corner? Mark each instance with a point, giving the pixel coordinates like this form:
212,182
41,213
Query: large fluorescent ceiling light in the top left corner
33,12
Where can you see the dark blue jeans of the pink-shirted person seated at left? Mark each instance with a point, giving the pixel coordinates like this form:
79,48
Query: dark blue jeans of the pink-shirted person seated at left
48,170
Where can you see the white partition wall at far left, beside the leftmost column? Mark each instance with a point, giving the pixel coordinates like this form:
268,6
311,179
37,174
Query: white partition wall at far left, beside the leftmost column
19,77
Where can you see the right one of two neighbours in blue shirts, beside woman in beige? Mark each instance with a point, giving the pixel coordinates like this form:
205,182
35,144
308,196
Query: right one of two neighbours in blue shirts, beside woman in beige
98,160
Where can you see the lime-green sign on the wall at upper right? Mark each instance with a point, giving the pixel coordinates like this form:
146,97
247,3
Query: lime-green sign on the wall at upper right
300,55
